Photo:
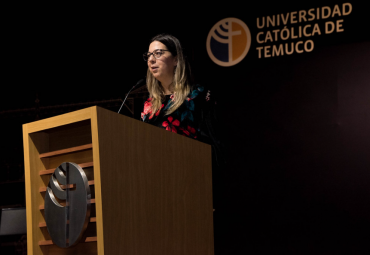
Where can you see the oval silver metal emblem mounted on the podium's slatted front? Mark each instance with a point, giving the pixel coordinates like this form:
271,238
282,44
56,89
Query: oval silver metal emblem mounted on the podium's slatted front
67,221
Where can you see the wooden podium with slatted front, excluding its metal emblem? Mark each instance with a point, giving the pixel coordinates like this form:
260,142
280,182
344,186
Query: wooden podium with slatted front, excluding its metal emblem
151,190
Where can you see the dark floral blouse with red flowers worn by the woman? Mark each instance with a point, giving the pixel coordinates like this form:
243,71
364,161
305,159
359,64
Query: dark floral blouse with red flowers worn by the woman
194,118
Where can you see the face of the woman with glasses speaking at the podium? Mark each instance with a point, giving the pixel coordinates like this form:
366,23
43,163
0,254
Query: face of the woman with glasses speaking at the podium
163,67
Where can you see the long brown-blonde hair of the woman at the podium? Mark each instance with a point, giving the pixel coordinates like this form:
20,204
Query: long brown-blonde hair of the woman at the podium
181,78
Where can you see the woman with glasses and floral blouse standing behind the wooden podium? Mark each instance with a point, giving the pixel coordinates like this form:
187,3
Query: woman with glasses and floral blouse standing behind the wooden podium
174,103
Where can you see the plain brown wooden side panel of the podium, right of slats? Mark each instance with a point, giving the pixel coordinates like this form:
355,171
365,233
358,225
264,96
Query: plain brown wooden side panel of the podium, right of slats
156,189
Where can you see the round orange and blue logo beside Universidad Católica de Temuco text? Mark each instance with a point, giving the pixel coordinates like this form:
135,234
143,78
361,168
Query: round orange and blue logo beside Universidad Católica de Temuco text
228,42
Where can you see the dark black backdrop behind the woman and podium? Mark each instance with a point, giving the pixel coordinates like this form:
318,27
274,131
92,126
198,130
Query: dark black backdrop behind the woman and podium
295,128
